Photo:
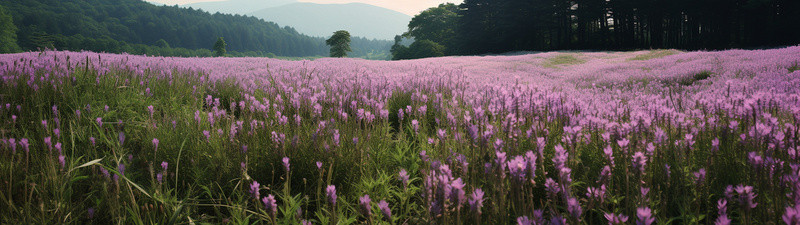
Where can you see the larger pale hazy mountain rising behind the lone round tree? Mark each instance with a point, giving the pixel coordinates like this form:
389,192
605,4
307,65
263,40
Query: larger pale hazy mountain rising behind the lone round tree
323,19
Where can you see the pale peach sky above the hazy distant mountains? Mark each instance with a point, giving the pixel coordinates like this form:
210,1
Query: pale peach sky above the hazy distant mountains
410,7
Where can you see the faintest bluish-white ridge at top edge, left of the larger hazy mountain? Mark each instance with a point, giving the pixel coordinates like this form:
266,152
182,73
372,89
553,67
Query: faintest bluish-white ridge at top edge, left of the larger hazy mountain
237,6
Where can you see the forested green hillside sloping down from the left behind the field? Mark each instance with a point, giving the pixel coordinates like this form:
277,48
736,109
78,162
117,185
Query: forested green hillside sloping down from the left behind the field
136,26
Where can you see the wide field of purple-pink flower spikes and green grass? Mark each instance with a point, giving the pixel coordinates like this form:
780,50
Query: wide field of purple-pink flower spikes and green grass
647,137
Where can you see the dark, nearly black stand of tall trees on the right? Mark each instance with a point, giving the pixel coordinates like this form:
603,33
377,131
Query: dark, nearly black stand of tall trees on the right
506,25
